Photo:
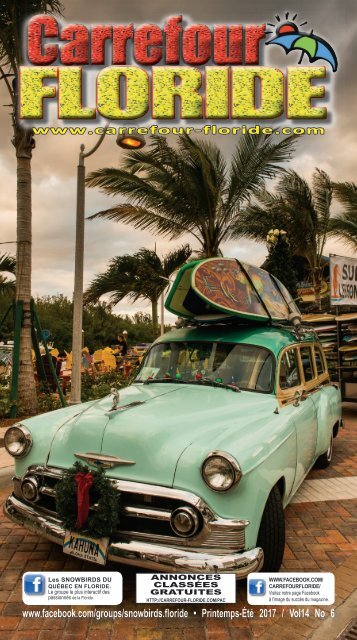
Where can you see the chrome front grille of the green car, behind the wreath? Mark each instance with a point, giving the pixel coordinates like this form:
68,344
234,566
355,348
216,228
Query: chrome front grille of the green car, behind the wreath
145,512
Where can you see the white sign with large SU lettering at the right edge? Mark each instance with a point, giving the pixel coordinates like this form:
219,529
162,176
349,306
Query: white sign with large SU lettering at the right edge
343,281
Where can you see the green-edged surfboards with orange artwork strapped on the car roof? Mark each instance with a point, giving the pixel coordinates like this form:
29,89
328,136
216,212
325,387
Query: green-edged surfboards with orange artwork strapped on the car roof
215,288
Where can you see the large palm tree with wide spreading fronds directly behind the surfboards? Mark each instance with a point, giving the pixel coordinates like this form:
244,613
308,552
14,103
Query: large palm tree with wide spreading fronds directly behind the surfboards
190,189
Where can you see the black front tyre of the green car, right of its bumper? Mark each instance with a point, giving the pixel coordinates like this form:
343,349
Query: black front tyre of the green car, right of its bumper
271,536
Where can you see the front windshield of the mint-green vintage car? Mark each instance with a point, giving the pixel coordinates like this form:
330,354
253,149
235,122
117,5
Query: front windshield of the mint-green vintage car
244,366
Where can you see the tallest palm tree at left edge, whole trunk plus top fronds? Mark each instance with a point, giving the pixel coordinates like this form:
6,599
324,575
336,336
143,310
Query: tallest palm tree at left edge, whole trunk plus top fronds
13,13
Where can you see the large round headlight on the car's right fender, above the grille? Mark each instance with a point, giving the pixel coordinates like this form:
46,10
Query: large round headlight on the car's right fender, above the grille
221,471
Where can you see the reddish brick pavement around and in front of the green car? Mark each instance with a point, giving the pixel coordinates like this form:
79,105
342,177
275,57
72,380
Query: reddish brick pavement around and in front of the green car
321,536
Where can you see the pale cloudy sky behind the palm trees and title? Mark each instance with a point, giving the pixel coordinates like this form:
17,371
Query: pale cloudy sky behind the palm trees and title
55,159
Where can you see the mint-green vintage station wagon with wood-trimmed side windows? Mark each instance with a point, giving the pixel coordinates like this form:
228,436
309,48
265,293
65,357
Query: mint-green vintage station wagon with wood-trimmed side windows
206,446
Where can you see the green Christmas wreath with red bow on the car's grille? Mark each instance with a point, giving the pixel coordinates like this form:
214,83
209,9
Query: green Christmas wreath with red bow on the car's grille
80,488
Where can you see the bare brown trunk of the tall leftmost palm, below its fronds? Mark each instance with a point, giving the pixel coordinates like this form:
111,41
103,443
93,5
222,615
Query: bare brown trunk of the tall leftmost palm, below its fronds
23,142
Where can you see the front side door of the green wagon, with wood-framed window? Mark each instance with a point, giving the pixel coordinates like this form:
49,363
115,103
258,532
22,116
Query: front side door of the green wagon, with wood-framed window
296,369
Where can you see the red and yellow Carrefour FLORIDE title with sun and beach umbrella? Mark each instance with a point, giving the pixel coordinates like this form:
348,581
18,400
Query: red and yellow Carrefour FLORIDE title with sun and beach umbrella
166,73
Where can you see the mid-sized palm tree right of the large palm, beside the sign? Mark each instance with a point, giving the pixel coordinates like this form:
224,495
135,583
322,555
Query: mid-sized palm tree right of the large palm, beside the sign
304,213
